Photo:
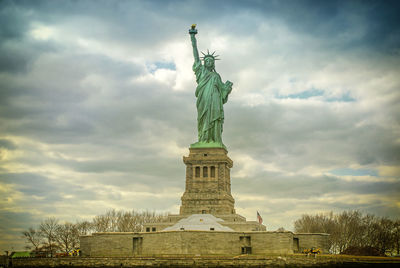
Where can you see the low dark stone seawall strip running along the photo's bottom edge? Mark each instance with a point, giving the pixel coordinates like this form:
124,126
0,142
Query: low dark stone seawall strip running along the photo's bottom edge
213,261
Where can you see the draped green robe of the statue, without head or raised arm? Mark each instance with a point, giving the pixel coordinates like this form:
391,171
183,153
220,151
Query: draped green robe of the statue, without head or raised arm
211,94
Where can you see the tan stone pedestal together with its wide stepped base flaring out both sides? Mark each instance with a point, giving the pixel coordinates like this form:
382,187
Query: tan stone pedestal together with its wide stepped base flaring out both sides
208,191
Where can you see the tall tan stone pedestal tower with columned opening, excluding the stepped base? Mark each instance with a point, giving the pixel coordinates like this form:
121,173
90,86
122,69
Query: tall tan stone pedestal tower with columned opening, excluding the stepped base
208,182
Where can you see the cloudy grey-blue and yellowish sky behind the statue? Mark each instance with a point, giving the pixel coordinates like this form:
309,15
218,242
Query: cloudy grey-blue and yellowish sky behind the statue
97,107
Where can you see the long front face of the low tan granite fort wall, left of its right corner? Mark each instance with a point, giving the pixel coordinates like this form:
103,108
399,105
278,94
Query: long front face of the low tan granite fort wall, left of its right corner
186,242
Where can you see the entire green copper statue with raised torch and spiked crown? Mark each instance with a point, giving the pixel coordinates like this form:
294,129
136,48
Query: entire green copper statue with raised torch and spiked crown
211,94
